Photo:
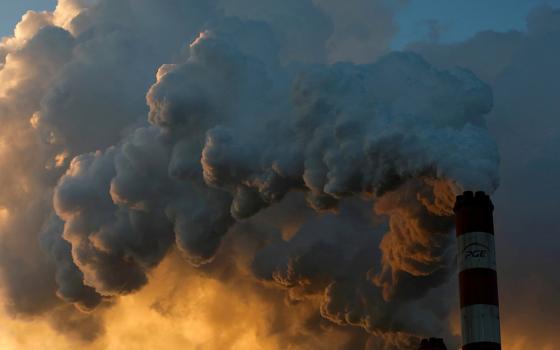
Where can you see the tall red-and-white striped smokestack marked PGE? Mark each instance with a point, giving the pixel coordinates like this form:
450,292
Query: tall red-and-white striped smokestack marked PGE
478,287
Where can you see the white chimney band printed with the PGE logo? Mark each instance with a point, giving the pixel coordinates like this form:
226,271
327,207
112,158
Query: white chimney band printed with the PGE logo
476,250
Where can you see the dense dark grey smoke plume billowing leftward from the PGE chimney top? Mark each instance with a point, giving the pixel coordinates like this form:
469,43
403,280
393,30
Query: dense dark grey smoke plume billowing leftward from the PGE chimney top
397,132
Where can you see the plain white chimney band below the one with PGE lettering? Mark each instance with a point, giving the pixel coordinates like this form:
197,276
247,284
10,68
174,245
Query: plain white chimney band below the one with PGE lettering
480,323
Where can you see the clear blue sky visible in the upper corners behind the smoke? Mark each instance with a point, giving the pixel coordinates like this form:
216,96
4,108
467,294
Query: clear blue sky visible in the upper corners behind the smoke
455,20
